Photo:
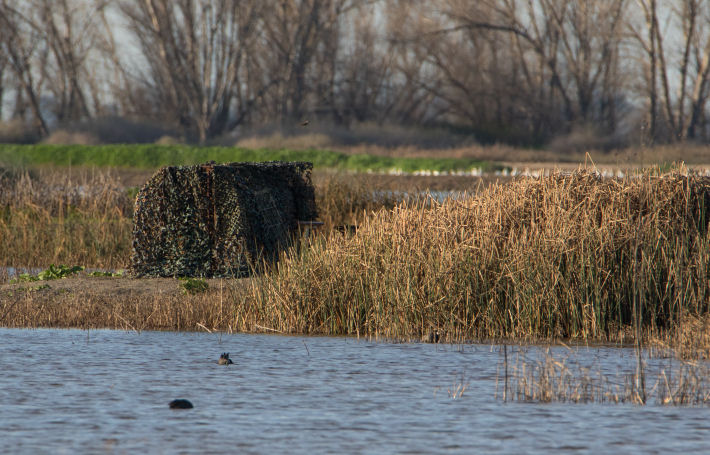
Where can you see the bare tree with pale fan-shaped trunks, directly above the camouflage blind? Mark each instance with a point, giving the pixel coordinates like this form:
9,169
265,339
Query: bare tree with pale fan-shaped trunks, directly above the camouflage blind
194,50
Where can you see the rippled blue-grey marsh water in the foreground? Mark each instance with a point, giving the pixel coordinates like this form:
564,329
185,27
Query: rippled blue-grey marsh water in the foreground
74,391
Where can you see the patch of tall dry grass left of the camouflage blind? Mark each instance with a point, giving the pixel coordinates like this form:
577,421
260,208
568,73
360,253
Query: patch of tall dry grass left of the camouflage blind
64,217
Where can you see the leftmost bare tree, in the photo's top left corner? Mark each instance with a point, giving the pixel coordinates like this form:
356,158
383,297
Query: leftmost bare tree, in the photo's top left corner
47,44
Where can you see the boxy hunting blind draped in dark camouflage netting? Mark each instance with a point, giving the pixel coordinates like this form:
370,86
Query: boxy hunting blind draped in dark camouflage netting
215,220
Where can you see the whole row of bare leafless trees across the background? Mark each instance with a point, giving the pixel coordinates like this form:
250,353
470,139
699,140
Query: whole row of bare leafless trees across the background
593,73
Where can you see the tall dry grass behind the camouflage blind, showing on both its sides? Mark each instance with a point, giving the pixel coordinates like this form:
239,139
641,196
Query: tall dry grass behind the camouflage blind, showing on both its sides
83,216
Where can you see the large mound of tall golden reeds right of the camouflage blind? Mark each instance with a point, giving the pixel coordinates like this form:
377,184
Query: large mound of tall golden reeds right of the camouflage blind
551,257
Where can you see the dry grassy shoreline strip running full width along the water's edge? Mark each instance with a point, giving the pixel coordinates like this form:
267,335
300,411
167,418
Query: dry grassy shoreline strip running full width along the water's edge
229,305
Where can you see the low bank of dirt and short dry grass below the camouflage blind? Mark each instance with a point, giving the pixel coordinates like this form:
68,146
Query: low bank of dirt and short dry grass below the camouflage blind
123,303
